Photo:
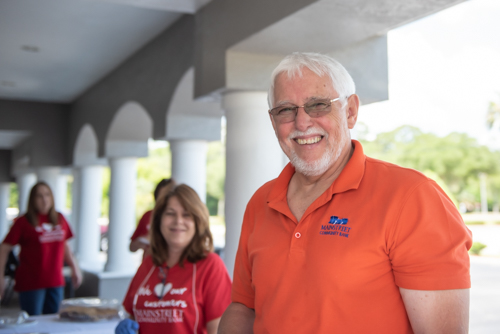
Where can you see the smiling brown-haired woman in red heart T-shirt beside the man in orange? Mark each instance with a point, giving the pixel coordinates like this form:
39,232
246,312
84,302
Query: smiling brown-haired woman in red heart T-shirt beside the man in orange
182,286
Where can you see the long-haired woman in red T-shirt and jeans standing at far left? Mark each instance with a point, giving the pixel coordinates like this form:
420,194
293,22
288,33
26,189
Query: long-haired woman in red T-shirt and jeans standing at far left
42,233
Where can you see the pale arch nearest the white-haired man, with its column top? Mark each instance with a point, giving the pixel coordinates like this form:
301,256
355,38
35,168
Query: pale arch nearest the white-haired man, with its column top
191,119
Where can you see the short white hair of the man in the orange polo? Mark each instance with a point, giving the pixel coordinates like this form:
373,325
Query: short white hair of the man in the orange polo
319,64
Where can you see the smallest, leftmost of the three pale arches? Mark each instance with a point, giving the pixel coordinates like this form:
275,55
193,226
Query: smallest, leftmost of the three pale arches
86,147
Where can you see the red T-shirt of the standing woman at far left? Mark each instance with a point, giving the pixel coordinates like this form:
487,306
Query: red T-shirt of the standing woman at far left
42,252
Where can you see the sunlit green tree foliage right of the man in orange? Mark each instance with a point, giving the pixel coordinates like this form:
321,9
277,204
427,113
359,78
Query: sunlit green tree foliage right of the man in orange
457,159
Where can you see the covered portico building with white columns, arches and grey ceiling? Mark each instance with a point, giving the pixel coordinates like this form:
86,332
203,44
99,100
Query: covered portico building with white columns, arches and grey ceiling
85,84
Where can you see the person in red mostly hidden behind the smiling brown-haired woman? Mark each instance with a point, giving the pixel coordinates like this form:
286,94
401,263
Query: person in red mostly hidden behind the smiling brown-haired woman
140,238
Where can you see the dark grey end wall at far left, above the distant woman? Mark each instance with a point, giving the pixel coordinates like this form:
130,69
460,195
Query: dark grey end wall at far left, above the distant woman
48,123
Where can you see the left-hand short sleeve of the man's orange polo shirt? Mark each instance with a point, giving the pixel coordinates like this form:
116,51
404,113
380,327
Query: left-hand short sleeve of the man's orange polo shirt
243,291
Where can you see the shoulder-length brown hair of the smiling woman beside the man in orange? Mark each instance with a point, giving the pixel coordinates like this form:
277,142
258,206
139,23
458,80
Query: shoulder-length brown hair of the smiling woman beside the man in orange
202,242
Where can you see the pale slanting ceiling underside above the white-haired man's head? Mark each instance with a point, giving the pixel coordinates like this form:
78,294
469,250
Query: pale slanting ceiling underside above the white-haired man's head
329,25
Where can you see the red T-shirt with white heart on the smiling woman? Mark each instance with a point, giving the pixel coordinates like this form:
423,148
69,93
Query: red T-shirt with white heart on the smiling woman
206,282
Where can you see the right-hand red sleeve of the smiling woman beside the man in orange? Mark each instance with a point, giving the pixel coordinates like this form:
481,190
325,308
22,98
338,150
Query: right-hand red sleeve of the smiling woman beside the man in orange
217,289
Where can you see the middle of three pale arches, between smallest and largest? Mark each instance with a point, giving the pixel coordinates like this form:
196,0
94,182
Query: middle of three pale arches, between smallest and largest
129,132
